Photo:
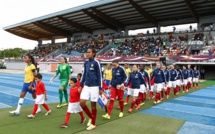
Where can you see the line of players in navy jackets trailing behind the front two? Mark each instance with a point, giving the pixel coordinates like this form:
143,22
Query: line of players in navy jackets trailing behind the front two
159,81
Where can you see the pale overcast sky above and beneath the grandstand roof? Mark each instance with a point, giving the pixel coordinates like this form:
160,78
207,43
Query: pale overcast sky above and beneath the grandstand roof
15,11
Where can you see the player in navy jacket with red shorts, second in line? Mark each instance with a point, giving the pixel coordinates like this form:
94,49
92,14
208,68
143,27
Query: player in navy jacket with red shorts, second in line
119,79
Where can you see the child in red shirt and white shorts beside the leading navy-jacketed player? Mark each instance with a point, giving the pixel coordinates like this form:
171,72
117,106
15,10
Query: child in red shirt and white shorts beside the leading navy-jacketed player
74,103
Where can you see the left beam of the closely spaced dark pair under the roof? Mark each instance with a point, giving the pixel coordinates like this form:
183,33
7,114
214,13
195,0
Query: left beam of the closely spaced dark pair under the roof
101,21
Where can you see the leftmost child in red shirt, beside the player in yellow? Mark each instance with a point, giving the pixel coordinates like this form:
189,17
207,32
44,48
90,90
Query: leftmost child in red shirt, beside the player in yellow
40,91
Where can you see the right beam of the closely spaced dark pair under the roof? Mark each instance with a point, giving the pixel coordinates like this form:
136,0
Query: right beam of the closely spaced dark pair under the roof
108,19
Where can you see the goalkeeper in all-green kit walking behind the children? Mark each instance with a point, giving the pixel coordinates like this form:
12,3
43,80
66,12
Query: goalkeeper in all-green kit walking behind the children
65,75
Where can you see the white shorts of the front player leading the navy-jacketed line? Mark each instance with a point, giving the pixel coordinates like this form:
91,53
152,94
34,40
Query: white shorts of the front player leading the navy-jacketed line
90,92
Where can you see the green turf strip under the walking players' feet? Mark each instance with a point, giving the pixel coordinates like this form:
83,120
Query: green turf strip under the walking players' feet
134,122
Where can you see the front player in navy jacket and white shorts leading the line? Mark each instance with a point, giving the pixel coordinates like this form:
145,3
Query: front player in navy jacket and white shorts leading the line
91,82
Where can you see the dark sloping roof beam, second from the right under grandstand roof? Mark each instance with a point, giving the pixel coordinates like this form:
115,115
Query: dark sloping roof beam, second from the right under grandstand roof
143,12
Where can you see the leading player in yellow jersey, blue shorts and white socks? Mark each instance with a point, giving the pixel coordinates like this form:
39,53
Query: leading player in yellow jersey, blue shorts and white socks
28,83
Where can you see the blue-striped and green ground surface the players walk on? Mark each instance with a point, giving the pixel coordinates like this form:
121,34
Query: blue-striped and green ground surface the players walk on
196,108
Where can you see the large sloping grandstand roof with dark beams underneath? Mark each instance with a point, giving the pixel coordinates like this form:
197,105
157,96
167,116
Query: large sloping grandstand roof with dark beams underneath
115,15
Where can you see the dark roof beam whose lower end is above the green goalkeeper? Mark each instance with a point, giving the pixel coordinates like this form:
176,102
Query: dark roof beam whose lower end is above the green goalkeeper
52,29
